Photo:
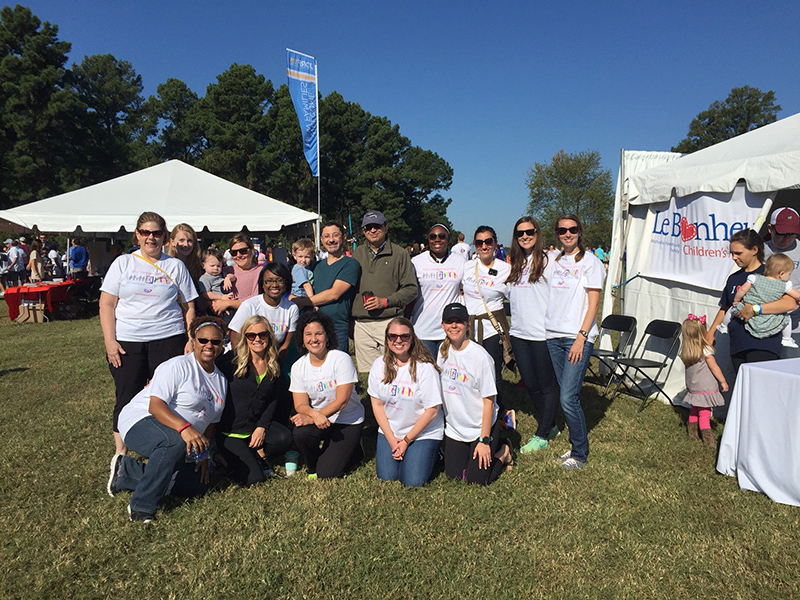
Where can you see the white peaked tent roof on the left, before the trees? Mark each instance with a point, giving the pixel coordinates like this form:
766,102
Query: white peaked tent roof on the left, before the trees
178,192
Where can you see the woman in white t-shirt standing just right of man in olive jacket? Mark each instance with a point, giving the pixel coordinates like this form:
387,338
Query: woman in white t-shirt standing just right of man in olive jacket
439,273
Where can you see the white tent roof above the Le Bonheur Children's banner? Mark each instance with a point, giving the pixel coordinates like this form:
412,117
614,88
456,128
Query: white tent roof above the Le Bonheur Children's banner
766,158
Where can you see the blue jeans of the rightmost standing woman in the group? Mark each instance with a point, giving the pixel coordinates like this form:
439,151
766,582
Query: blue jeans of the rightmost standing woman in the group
570,378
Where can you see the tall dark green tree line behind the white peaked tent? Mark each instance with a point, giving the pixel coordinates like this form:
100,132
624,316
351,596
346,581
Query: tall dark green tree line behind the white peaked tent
63,127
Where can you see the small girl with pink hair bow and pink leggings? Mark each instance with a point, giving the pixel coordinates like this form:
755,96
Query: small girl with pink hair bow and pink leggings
703,378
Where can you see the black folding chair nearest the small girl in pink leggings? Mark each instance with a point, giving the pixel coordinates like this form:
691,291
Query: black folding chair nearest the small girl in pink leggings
656,337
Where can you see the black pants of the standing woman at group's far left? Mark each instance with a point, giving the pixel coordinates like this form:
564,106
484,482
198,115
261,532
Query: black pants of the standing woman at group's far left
138,365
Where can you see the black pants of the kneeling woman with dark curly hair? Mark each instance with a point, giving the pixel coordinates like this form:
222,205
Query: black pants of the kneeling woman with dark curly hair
341,448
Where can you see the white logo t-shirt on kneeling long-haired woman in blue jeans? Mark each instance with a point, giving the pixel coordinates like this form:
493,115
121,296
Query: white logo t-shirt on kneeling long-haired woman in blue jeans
404,400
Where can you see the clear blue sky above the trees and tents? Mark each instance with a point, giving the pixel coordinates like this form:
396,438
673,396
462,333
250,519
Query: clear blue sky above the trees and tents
492,87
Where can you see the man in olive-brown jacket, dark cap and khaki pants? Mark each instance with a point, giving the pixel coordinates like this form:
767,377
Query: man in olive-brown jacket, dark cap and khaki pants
386,286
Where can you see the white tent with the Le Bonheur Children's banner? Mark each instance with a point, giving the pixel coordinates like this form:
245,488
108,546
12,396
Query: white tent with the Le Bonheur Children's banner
672,224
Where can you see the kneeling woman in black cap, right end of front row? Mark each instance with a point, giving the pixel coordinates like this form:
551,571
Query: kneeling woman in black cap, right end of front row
472,448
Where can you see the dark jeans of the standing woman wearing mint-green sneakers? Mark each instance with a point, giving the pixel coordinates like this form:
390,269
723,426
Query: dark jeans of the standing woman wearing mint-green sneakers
536,370
